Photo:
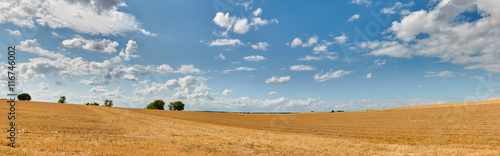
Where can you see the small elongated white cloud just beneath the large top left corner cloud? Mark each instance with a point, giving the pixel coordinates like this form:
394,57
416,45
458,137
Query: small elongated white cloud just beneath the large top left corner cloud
104,45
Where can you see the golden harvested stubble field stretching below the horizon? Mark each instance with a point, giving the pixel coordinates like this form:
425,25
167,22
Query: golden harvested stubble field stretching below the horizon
66,129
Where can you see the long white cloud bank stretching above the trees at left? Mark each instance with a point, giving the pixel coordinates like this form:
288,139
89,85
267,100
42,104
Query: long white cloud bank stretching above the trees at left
62,66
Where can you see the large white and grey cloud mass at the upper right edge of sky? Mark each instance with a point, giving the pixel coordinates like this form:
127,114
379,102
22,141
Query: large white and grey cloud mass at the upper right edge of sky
475,46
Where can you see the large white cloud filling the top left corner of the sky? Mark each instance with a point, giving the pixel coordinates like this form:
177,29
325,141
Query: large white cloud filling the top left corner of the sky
92,17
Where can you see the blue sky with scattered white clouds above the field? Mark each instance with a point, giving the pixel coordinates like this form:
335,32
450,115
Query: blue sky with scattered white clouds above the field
238,55
